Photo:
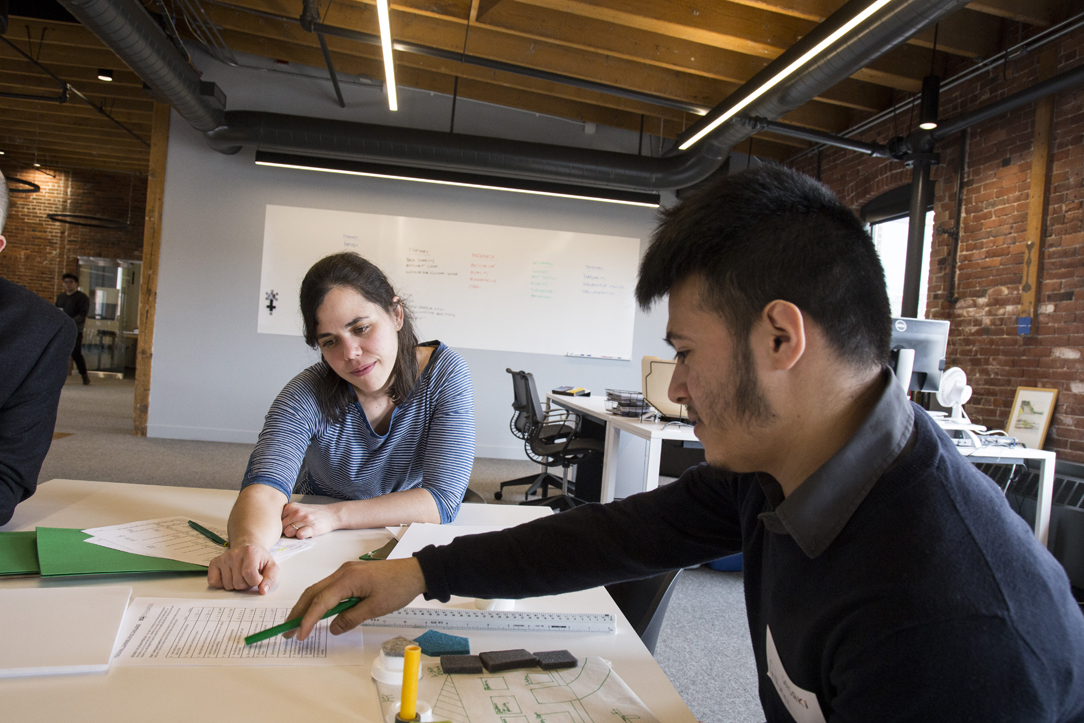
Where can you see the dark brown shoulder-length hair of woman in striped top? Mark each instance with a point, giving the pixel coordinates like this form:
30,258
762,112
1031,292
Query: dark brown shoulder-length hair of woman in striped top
351,270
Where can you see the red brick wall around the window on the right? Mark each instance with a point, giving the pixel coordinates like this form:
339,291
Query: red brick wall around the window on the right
984,341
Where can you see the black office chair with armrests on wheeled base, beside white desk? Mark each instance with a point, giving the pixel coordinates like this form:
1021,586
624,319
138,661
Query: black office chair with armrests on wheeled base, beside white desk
550,440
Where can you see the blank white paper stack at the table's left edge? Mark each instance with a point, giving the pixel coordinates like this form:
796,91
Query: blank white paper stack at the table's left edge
54,631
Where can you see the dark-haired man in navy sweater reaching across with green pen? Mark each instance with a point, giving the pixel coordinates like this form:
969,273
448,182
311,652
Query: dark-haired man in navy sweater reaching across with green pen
886,579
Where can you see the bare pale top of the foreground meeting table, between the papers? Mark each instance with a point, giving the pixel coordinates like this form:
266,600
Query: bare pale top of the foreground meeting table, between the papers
347,693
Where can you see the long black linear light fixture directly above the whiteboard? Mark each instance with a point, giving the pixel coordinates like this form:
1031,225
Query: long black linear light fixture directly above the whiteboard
457,178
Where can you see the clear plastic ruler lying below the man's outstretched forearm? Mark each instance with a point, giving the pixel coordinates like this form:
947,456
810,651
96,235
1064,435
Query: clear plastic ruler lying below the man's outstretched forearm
463,619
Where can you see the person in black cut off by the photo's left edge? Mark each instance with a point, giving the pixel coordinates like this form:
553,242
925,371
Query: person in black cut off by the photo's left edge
36,340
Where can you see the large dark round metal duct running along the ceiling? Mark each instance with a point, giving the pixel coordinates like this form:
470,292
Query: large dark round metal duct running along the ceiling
126,28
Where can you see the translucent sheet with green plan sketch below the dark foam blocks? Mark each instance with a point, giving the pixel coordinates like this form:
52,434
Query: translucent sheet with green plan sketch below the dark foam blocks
590,692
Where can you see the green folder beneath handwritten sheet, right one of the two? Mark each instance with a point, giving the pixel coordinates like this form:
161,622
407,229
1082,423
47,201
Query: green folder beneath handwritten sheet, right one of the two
63,552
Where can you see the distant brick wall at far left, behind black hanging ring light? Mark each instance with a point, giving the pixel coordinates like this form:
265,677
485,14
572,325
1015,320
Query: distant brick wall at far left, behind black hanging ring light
40,251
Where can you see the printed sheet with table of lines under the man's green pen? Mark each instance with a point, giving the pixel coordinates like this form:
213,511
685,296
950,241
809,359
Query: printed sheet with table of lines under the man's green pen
166,632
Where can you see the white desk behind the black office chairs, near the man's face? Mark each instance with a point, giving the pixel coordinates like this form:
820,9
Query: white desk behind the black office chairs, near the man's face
654,433
